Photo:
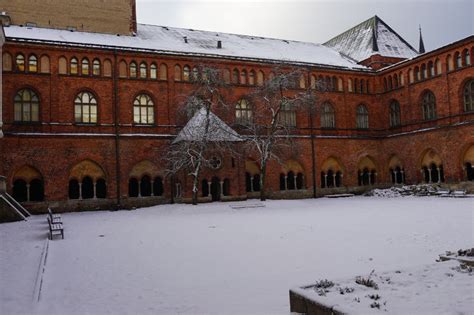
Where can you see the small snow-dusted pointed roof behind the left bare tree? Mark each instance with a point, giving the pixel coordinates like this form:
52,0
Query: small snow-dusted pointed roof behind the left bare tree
195,129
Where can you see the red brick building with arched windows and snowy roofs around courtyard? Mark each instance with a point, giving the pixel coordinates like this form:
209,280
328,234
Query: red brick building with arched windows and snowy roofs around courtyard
86,117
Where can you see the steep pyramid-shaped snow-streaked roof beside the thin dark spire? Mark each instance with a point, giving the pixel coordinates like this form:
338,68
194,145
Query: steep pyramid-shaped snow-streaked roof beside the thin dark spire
369,38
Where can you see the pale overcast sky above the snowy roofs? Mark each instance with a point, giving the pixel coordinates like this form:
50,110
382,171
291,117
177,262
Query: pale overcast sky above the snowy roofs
317,21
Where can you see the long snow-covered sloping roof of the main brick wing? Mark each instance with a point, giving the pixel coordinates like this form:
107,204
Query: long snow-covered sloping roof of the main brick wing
171,40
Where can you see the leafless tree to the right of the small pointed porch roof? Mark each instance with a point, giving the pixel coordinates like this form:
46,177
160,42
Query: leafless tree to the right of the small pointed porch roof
269,132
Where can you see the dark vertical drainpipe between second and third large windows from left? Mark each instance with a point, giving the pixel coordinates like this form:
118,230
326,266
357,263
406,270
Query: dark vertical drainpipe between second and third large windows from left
116,113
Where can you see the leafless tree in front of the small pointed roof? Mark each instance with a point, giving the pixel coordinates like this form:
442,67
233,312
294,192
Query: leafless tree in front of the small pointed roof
204,133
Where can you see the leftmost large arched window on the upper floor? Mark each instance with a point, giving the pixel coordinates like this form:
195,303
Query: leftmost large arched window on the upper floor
26,106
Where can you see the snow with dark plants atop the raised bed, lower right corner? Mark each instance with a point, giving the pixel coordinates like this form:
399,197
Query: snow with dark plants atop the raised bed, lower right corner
437,288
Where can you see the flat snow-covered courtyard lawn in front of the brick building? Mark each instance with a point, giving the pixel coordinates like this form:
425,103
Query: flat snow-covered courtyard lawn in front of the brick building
212,259
